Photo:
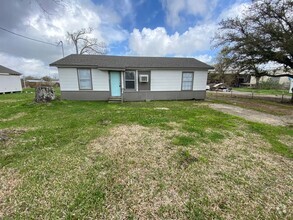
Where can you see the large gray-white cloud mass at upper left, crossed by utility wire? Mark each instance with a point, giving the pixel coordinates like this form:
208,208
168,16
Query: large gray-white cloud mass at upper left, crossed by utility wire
34,58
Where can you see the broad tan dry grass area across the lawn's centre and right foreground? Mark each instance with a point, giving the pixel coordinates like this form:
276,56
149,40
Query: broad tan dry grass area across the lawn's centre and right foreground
234,179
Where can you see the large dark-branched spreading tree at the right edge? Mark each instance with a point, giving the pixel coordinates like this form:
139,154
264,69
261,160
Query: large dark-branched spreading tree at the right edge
263,34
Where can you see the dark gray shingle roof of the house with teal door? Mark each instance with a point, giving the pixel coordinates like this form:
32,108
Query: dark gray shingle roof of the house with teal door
128,62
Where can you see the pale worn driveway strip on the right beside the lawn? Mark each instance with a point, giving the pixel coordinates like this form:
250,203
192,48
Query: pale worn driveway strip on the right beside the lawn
253,115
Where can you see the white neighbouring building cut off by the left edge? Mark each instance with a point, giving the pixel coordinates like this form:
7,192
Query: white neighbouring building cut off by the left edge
9,80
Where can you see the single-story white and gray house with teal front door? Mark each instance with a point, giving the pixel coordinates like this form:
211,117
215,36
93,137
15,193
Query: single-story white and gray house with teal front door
103,77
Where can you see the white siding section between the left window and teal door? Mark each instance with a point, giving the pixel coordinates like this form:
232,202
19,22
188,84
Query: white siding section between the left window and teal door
100,80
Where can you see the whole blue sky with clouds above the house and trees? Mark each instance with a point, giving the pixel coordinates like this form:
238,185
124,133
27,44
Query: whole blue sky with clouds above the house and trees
173,28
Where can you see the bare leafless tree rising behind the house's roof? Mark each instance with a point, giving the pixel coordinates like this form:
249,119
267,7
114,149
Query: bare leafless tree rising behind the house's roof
84,44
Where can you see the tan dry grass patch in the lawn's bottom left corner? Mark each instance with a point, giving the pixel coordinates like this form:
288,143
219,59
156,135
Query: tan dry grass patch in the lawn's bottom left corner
9,180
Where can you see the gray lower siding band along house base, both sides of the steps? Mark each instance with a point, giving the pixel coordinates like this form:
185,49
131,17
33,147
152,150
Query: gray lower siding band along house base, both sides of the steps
135,96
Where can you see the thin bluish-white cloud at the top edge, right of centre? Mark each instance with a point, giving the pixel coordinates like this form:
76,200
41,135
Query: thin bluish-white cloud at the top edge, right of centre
175,8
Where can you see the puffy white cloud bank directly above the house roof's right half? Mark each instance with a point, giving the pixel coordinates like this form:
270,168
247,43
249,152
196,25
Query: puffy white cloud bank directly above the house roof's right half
157,42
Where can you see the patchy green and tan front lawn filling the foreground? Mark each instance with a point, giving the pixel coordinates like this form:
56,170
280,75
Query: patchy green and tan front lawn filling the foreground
143,160
